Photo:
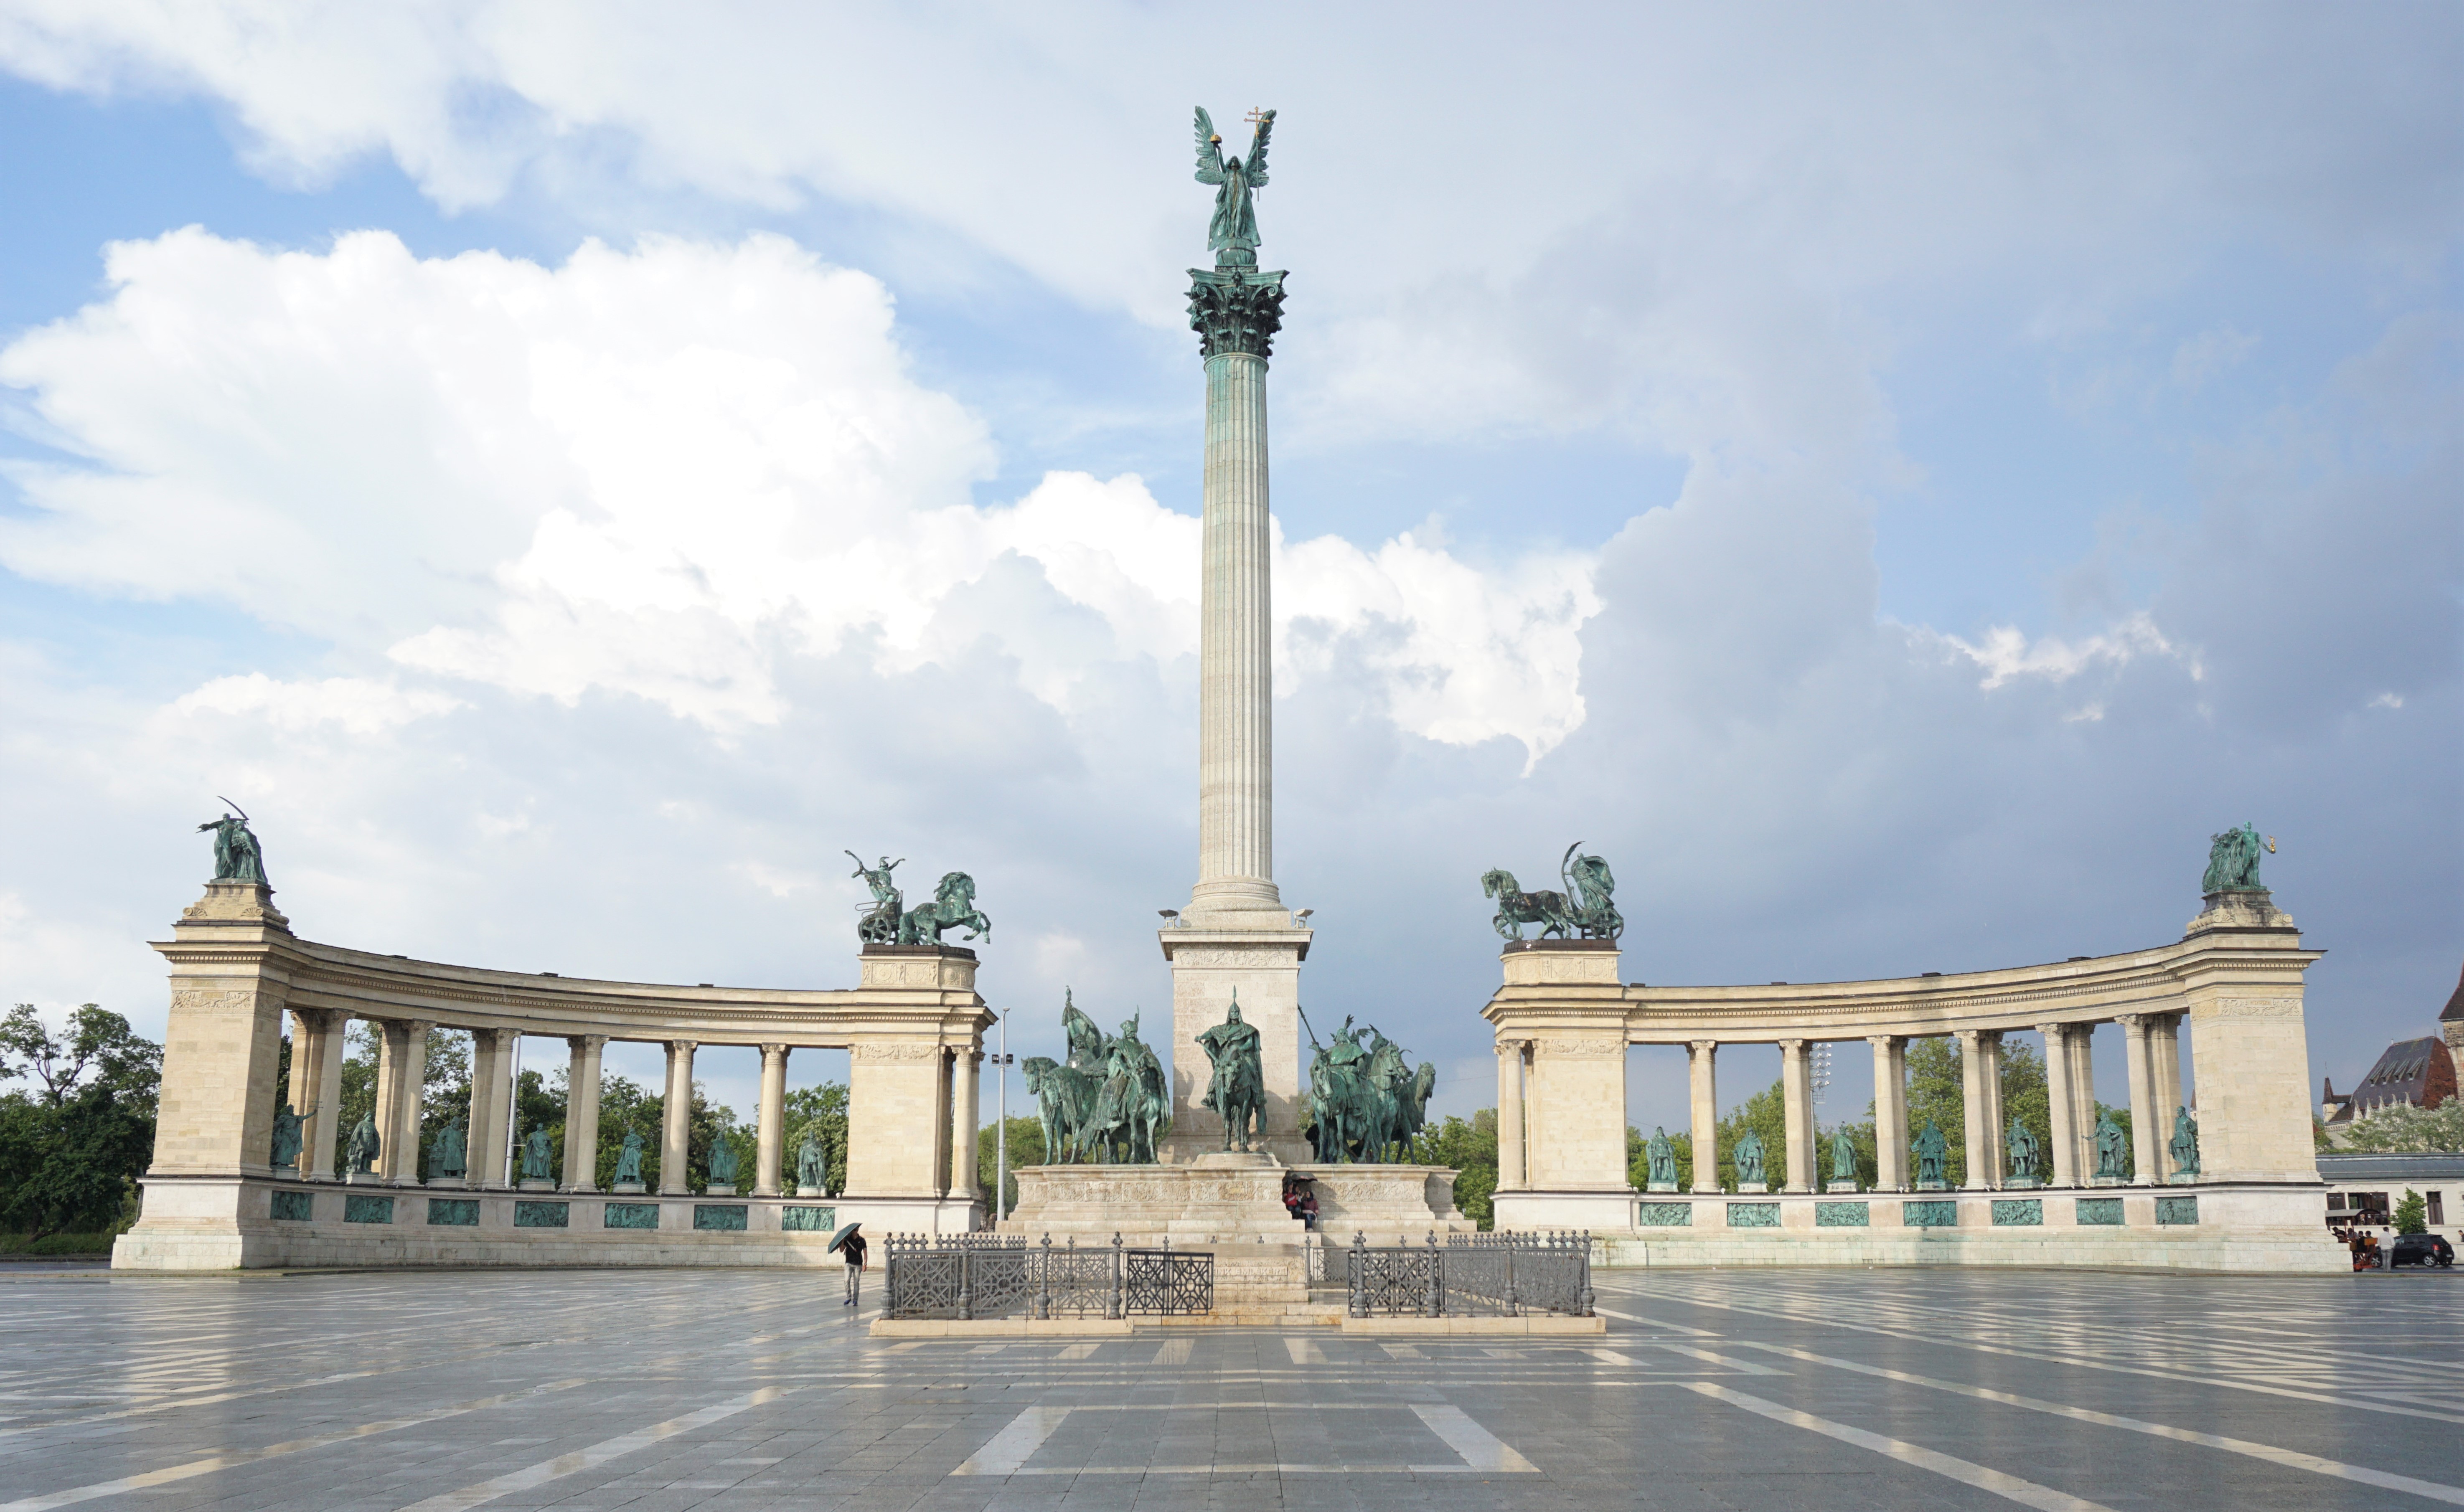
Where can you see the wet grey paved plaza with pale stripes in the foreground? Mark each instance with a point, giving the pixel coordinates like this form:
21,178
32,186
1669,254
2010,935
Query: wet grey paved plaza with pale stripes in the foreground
1768,1390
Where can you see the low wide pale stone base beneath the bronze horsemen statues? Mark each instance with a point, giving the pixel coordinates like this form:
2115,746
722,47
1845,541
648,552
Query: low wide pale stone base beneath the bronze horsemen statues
1228,1198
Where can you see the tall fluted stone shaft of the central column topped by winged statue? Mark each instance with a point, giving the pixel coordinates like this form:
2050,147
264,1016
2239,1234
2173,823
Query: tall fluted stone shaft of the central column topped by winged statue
1236,649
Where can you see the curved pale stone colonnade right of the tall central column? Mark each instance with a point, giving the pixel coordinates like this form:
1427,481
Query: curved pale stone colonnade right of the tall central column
1563,1023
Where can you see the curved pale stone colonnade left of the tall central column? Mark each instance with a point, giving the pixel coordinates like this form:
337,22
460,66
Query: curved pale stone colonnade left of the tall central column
913,1031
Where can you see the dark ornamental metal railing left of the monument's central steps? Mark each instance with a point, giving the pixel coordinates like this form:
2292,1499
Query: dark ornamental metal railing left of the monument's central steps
960,1277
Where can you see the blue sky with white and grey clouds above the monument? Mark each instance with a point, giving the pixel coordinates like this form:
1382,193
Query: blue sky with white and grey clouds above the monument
1891,479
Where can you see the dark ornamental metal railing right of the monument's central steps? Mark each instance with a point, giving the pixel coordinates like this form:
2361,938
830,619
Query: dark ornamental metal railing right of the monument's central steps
1475,1274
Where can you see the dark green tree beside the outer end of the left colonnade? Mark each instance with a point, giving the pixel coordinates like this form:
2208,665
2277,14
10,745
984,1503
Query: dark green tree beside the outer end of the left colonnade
73,1146
